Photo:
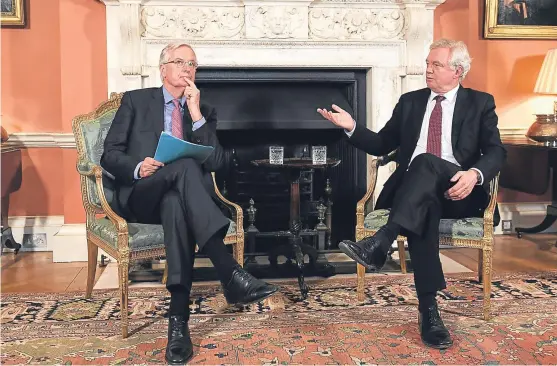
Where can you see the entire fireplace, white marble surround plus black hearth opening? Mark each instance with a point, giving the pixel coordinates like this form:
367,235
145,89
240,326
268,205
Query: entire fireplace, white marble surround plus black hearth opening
382,43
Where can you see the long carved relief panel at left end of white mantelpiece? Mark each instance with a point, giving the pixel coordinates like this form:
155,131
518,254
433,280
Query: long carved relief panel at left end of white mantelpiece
191,22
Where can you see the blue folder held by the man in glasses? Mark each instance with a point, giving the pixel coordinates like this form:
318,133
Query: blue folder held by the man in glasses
171,148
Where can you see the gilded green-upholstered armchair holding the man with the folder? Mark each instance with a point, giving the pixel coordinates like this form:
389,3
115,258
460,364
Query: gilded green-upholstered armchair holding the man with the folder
125,242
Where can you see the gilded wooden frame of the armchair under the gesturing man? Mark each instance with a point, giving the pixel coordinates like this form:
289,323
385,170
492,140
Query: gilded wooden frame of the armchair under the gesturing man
484,244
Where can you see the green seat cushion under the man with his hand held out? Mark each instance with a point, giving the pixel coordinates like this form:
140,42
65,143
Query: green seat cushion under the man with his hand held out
467,228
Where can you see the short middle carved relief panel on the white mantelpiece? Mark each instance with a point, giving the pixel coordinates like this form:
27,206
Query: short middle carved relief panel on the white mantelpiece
276,22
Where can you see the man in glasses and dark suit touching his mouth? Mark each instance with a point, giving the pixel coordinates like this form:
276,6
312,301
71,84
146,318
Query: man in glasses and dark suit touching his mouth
178,195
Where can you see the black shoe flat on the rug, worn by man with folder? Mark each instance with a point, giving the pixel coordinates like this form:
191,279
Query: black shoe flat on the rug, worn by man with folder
179,349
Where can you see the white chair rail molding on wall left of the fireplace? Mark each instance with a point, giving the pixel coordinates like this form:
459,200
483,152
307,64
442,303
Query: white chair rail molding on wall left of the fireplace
39,139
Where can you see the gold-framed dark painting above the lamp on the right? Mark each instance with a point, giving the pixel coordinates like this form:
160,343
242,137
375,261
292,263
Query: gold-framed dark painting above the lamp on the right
526,19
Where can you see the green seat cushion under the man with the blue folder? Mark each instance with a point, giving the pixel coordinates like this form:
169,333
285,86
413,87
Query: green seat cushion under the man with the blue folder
141,236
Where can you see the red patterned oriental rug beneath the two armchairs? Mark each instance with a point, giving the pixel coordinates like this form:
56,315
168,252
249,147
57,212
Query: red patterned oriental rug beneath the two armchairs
330,327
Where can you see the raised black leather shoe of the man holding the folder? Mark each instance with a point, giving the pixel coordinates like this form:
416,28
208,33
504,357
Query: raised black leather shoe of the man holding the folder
244,289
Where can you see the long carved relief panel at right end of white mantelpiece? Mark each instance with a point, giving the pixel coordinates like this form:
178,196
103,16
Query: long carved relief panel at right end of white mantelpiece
350,24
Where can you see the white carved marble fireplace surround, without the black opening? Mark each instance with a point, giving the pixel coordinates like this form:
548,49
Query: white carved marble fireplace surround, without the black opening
389,38
